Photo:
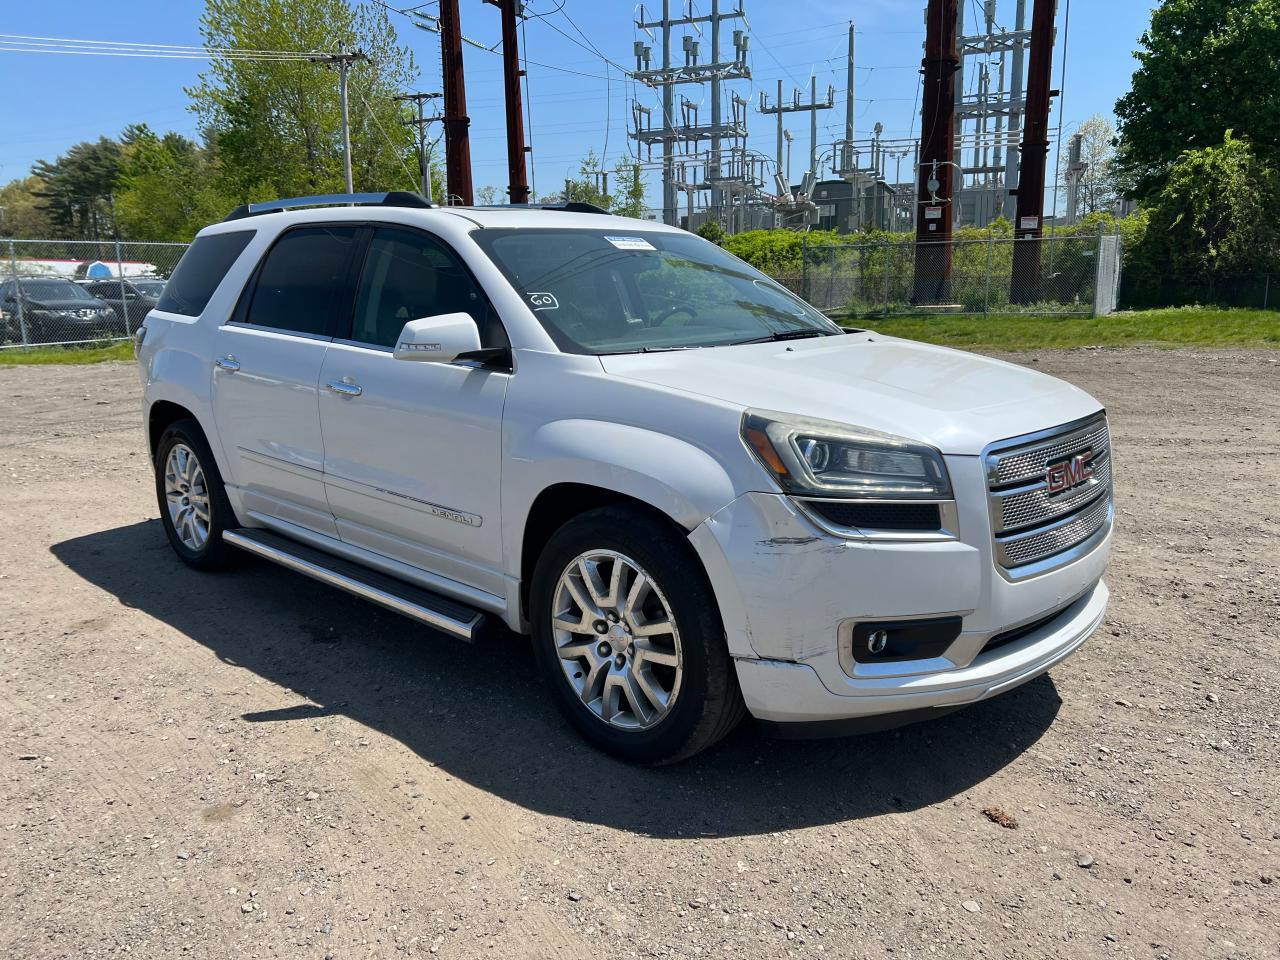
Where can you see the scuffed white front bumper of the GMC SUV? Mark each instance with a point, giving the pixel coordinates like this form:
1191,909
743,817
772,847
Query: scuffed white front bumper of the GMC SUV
789,593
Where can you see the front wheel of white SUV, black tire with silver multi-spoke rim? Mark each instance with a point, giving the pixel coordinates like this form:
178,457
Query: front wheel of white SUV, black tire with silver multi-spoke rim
629,638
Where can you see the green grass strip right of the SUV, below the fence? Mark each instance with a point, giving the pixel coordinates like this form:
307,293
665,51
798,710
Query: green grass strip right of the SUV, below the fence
1176,327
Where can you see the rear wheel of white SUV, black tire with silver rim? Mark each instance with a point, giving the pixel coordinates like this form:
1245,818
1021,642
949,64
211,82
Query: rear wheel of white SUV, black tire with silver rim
194,505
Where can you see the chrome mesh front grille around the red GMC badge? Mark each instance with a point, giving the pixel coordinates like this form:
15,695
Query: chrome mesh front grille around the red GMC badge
1030,524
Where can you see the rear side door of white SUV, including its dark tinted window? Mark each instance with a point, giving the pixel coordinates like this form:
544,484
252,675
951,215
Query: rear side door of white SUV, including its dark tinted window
267,373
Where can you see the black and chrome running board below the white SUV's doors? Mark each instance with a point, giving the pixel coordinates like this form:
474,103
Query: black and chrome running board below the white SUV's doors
423,606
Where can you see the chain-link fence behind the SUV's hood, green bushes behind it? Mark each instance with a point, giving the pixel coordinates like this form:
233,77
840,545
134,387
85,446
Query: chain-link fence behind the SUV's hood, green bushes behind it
1058,276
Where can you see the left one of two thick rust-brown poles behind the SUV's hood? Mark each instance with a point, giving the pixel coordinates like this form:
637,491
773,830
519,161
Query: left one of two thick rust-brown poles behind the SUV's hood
936,193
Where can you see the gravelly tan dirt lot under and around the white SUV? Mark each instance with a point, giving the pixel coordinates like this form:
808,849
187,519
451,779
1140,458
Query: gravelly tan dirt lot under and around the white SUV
252,765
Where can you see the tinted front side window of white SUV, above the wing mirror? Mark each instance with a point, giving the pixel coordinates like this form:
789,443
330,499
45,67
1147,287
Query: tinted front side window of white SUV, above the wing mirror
409,276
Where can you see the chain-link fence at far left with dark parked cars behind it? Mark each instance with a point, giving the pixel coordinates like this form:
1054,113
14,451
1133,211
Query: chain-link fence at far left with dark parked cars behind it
67,292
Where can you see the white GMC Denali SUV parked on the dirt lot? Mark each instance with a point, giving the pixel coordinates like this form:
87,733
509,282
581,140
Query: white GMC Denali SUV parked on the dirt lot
700,496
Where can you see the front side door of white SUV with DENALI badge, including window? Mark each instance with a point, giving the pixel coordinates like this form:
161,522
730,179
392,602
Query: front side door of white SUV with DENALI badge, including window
413,450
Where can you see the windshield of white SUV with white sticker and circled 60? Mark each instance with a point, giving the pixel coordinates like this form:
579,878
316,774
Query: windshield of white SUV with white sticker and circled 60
609,292
